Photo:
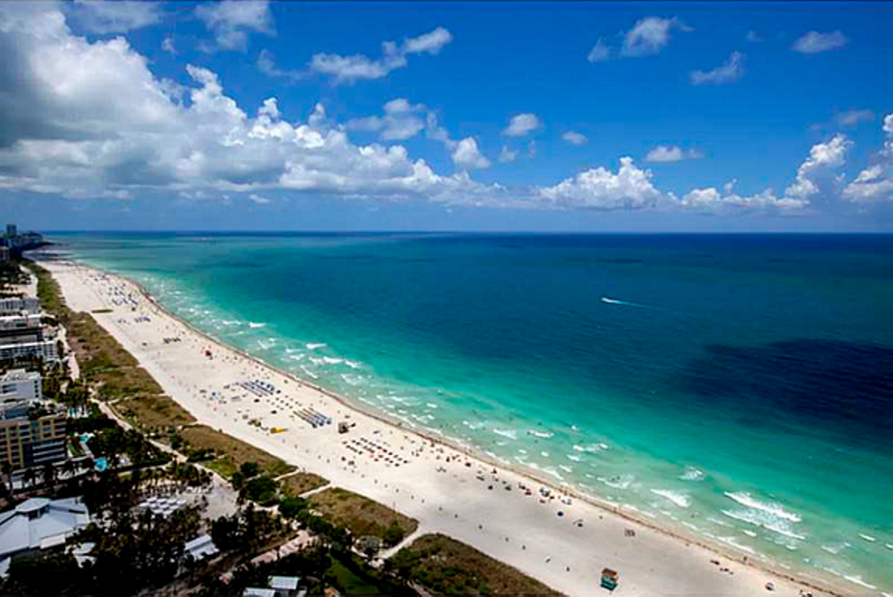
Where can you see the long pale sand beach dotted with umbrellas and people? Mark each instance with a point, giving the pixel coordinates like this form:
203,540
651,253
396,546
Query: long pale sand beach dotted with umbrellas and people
439,485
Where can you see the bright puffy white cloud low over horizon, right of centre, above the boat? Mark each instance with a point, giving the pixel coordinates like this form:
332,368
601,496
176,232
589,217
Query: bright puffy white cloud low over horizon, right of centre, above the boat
601,189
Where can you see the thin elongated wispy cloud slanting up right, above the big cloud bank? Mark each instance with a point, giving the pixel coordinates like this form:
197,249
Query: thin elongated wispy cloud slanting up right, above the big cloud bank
349,69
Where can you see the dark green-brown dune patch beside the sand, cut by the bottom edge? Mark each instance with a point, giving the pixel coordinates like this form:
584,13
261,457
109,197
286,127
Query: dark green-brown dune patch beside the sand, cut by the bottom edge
448,567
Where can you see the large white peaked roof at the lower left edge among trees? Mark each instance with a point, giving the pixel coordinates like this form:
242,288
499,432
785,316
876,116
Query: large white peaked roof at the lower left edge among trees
40,523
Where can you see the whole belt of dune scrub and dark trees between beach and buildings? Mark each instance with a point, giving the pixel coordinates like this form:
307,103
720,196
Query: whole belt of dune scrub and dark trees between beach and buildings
137,552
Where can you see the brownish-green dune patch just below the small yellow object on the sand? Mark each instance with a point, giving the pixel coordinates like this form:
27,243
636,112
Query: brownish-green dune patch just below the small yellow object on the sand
230,453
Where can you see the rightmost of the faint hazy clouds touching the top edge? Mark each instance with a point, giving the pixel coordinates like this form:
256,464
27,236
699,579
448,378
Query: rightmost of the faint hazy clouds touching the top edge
231,21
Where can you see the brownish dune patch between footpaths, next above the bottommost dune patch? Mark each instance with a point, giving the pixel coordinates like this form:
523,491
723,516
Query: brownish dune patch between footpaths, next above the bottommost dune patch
360,515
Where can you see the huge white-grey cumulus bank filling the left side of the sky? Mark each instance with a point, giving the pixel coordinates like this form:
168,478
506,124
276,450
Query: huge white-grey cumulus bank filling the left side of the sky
91,120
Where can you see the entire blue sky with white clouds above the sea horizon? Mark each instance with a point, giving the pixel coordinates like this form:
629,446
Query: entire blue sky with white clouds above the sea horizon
447,116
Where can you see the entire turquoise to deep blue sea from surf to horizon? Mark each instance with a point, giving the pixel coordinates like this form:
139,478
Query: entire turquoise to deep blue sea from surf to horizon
737,387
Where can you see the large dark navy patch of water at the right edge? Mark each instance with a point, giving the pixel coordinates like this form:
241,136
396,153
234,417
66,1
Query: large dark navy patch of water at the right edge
843,387
